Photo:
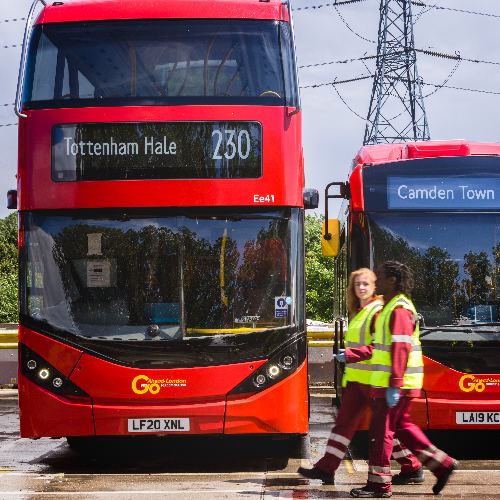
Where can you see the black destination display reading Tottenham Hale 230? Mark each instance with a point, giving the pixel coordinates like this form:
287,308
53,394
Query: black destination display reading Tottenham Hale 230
156,150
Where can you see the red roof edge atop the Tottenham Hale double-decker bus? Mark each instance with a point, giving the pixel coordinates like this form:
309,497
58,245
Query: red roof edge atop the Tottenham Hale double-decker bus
96,10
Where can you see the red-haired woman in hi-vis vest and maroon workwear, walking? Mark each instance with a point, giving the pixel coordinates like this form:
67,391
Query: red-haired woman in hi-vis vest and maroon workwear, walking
363,308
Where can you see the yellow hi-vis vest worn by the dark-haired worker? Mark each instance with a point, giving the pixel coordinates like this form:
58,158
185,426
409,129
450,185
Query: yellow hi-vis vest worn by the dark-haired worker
381,359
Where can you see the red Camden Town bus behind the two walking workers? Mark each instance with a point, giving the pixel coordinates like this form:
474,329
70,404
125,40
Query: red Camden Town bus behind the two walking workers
434,206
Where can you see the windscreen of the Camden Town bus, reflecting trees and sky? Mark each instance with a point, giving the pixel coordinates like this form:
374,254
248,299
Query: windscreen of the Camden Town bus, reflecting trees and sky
455,259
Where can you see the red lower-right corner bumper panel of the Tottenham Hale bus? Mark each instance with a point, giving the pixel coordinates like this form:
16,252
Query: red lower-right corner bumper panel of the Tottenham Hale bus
282,408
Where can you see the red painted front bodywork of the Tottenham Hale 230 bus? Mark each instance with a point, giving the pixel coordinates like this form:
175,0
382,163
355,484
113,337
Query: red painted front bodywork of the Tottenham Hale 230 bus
116,392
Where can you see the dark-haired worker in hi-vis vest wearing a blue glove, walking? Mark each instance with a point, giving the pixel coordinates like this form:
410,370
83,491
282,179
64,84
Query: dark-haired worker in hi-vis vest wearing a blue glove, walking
396,377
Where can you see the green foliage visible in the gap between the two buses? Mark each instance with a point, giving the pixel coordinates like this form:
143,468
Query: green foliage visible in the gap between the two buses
320,273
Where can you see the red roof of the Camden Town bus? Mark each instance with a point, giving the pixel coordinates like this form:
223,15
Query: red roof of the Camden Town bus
384,153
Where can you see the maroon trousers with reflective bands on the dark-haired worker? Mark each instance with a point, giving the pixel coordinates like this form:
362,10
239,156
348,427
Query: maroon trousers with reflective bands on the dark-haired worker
387,422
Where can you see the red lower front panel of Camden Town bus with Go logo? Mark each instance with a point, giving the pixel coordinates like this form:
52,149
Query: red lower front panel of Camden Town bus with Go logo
450,391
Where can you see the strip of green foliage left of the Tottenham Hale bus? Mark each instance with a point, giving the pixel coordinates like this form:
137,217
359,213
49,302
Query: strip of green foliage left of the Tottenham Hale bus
8,269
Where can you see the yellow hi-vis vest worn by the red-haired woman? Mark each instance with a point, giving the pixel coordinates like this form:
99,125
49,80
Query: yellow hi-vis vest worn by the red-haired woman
359,335
